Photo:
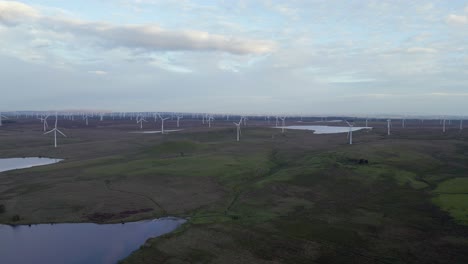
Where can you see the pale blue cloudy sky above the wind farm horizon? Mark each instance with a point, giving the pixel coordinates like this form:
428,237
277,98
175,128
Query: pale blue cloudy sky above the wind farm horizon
259,56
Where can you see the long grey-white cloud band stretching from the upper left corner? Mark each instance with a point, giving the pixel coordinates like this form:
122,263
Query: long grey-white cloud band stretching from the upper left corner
147,37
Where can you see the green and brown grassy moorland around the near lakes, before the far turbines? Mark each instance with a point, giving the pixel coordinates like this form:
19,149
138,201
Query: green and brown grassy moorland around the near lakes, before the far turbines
271,198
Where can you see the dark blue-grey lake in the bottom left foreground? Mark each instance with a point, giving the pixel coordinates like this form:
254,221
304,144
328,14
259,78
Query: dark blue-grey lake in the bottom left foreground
78,243
